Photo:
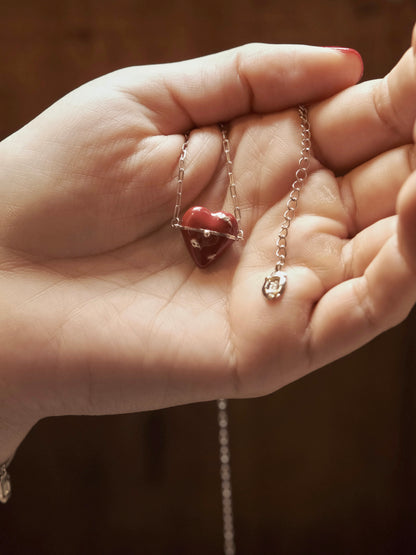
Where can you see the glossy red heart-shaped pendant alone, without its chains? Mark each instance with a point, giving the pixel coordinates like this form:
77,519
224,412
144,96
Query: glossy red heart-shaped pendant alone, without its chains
207,234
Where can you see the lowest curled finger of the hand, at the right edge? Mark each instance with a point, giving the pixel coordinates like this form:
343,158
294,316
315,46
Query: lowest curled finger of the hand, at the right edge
354,312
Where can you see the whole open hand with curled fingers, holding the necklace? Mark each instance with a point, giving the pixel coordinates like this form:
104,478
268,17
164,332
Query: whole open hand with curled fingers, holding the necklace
103,311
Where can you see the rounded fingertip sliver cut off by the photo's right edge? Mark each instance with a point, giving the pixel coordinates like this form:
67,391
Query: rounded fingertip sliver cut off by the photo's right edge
406,207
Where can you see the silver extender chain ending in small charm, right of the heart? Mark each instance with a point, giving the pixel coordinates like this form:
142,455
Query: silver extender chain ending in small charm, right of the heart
275,283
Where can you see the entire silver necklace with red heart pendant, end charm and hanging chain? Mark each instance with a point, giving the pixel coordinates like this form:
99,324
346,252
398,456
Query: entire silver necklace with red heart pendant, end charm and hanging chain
207,235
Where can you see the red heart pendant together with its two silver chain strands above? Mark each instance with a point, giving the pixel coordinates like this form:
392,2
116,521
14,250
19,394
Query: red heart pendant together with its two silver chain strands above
207,234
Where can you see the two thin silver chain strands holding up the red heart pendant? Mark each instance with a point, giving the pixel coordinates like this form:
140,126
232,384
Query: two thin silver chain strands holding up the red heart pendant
176,222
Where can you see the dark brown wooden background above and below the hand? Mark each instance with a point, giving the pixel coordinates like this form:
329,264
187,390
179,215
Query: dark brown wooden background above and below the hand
325,466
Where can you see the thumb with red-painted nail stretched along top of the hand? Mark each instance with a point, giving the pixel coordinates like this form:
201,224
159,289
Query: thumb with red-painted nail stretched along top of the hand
252,78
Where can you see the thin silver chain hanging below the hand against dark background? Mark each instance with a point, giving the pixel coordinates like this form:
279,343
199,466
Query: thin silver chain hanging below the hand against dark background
225,473
